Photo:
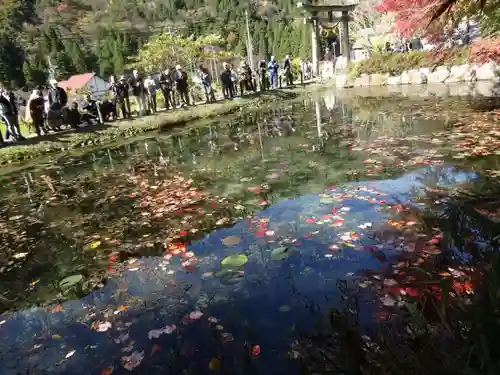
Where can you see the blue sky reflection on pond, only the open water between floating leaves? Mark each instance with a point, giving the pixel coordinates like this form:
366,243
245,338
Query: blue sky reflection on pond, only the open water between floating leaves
249,307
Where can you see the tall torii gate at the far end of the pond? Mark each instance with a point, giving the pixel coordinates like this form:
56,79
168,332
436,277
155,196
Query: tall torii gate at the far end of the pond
331,8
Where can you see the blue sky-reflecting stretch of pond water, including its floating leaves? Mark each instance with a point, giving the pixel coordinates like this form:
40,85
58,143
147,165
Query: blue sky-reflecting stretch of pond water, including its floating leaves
233,299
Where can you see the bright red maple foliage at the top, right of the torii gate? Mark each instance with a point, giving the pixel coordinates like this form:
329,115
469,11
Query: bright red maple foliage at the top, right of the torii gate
413,17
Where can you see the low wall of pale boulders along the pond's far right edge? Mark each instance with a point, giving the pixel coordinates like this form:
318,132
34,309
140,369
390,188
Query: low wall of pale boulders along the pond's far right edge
467,73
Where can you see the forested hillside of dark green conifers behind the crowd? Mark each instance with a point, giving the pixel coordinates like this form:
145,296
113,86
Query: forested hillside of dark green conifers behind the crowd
102,35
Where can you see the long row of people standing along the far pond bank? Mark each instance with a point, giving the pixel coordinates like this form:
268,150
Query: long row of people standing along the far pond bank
50,112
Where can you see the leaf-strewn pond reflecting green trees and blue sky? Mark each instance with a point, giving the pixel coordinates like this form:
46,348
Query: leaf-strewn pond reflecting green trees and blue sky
209,249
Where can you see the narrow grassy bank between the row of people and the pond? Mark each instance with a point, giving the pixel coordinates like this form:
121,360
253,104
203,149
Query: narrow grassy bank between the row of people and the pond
108,133
